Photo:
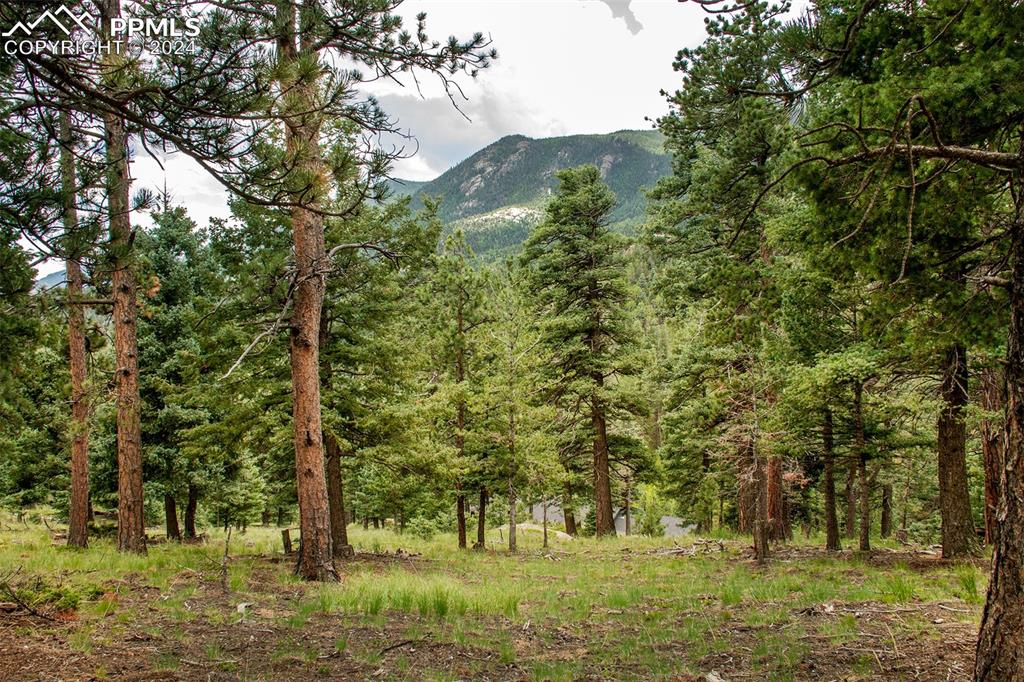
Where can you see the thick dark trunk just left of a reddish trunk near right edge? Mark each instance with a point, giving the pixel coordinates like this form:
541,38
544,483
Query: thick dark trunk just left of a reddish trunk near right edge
959,539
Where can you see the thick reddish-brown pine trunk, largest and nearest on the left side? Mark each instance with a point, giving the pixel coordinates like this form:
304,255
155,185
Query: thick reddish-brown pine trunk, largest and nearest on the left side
316,561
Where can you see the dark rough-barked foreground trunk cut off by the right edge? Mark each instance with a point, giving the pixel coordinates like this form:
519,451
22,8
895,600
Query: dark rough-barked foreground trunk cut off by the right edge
1001,641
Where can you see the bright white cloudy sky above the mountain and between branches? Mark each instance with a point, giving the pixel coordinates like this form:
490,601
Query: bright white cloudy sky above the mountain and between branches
565,67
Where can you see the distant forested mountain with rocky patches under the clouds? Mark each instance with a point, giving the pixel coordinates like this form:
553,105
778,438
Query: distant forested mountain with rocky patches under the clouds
498,194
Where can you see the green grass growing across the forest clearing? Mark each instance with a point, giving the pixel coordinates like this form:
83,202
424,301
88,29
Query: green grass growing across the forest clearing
580,609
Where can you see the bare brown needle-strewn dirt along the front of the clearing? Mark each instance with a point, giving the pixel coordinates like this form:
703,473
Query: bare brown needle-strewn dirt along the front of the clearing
140,641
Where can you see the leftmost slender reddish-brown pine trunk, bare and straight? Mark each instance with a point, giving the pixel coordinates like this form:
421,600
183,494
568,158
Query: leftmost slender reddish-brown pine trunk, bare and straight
78,517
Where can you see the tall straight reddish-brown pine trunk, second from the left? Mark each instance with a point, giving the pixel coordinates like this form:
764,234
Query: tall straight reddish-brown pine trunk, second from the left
132,524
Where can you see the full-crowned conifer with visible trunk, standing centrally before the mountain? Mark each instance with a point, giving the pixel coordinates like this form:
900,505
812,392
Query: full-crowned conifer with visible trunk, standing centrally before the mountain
577,269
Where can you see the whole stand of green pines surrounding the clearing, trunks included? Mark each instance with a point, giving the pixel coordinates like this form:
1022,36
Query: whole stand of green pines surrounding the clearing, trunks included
817,326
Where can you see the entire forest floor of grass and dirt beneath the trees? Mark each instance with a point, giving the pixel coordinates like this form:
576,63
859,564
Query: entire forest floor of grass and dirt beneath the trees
414,610
